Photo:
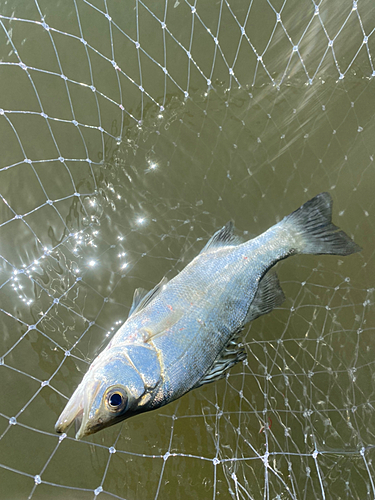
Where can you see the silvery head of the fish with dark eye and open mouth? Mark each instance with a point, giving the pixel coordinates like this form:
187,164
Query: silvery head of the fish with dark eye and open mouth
109,393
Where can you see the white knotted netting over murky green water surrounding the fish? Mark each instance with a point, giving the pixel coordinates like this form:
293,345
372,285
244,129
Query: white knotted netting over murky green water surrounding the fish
130,132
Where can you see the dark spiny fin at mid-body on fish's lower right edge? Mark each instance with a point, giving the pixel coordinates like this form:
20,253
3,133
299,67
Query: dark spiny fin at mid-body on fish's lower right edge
232,354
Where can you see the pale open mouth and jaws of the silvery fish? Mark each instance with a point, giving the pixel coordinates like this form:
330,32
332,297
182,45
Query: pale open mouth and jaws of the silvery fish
78,410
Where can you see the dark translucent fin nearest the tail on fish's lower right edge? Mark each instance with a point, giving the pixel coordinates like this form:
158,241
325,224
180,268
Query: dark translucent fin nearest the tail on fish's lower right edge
268,296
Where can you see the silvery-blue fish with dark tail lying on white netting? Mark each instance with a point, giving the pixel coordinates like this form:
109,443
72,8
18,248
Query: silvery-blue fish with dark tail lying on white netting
186,332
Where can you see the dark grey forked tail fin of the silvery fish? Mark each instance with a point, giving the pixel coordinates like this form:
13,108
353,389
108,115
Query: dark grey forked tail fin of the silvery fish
311,228
